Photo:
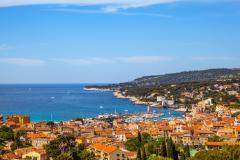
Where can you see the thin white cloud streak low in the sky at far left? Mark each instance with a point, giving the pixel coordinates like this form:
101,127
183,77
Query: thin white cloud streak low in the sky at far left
21,61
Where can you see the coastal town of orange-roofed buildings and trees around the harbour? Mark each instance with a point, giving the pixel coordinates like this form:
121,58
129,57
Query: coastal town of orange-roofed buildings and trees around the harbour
211,121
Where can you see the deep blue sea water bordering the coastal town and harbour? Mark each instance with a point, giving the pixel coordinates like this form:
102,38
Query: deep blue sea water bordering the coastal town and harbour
63,102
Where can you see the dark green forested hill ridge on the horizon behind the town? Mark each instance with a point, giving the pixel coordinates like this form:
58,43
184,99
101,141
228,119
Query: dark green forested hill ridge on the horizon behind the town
190,76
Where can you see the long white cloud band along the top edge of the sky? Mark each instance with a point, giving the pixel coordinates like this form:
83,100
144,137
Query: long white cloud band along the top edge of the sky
107,5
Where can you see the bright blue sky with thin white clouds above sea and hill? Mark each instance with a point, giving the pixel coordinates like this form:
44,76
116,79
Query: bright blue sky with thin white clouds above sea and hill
110,41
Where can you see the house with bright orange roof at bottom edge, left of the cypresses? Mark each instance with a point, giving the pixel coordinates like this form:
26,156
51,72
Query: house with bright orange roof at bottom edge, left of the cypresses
108,152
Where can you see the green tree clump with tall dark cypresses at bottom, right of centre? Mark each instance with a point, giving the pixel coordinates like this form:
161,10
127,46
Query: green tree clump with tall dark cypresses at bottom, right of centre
163,148
